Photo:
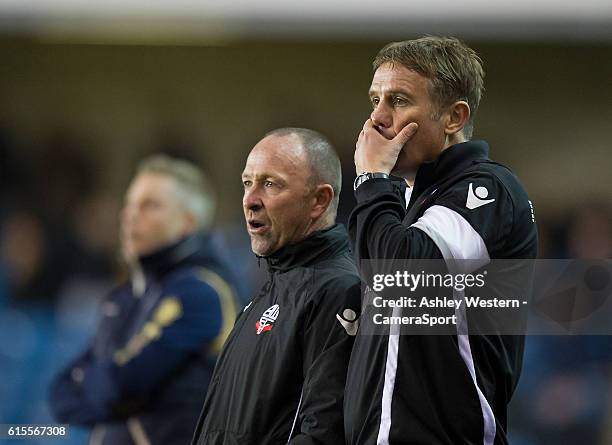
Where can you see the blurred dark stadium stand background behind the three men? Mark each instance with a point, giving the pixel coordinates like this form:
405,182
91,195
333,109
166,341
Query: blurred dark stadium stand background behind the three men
86,90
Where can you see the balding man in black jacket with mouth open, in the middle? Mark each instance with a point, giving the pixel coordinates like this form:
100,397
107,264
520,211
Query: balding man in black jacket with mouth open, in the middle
280,377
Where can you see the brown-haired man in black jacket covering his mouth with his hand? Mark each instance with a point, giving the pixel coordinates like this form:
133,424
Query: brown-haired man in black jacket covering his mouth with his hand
443,389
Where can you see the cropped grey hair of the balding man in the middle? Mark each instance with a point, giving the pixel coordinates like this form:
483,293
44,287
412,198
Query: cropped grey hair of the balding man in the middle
323,162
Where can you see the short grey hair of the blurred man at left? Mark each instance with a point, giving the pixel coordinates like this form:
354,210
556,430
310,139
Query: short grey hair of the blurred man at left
193,186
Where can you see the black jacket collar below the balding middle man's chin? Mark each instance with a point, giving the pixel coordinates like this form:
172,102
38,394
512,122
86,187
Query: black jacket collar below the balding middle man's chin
317,246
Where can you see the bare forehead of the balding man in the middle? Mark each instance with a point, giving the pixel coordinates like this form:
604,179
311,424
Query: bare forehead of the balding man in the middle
278,155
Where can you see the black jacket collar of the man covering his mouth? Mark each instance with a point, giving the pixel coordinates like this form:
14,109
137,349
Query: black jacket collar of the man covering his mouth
450,162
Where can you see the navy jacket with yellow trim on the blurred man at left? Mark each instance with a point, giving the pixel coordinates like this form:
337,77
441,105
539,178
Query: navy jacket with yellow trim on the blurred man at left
144,377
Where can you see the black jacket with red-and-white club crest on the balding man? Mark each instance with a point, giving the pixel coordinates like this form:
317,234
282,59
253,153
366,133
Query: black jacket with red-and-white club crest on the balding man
282,372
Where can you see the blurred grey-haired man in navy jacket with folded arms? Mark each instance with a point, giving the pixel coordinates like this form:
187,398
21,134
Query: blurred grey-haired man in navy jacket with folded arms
144,377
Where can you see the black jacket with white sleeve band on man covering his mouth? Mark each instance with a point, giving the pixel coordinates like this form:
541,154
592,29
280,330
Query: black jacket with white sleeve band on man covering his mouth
443,389
